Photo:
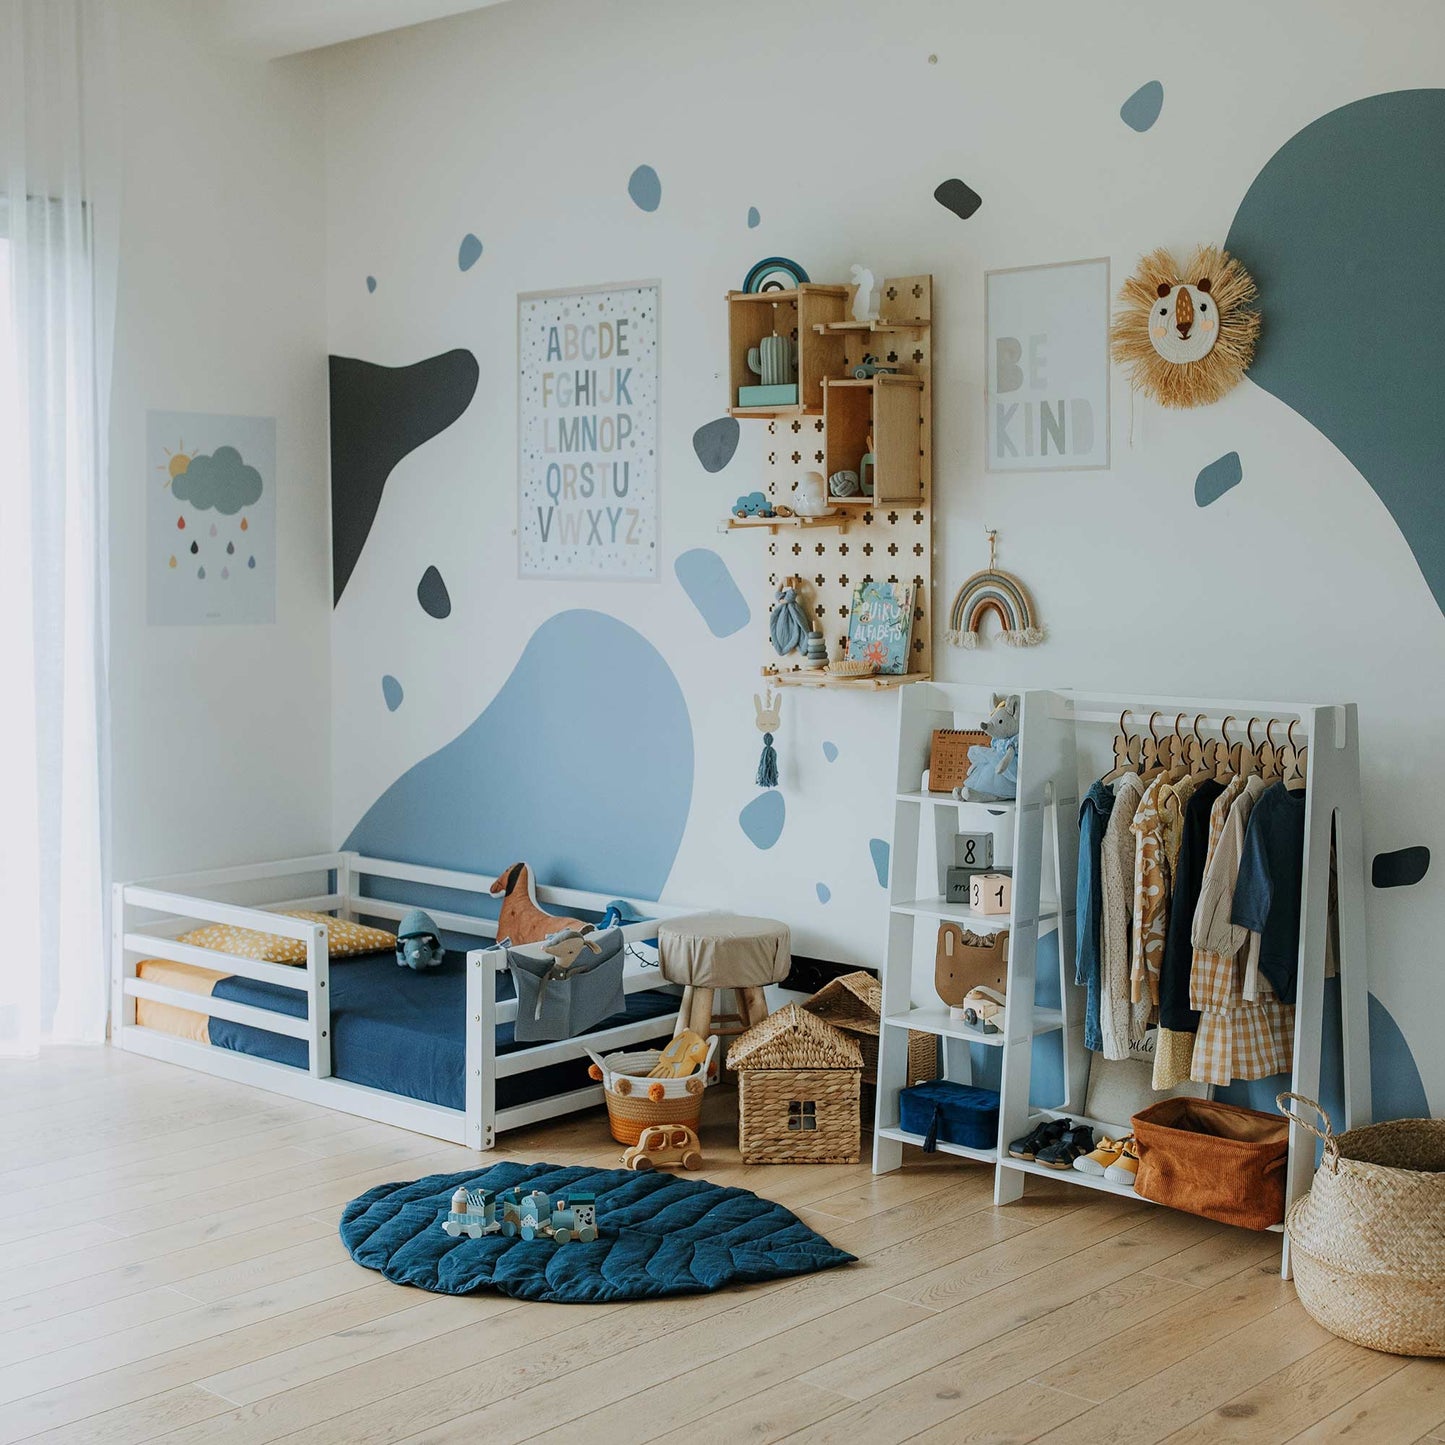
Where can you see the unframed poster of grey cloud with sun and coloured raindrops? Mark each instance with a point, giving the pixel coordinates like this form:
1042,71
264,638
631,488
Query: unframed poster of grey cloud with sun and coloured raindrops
210,519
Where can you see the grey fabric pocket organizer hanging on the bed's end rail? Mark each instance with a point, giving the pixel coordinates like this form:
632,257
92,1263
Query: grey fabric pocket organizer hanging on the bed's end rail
567,985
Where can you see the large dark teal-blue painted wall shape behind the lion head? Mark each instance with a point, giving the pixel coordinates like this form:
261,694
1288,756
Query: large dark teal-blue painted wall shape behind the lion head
1343,233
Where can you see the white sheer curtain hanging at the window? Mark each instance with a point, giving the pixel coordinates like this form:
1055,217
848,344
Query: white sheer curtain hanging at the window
59,228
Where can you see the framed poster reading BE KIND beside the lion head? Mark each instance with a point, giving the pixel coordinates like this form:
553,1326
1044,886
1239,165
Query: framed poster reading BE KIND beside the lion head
1047,391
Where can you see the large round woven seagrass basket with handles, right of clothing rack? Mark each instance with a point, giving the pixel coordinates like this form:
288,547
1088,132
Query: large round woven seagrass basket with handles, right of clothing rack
1368,1243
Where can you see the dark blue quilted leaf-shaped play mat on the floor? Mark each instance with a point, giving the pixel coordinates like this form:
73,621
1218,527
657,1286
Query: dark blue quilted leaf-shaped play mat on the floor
658,1235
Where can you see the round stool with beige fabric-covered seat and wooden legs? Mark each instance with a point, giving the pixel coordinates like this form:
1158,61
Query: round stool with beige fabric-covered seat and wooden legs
712,952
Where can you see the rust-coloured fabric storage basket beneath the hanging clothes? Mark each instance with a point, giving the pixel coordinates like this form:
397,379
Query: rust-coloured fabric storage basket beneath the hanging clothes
1220,1161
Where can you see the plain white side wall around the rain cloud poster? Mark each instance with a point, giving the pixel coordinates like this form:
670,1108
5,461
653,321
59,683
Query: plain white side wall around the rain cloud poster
220,735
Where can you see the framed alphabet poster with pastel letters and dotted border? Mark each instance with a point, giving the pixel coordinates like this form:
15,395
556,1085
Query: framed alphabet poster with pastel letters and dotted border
587,428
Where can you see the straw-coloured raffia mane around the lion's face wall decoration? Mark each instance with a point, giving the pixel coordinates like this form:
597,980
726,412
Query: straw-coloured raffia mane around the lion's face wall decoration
1189,384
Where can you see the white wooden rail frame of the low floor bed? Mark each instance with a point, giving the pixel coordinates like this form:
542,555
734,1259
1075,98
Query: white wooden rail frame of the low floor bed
148,920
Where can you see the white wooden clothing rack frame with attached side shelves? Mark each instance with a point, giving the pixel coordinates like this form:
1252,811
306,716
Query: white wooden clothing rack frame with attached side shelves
1050,784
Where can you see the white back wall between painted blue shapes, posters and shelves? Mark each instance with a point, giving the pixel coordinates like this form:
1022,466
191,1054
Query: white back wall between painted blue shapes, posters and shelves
522,125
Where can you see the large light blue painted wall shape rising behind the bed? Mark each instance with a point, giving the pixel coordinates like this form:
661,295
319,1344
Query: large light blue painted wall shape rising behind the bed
557,771
